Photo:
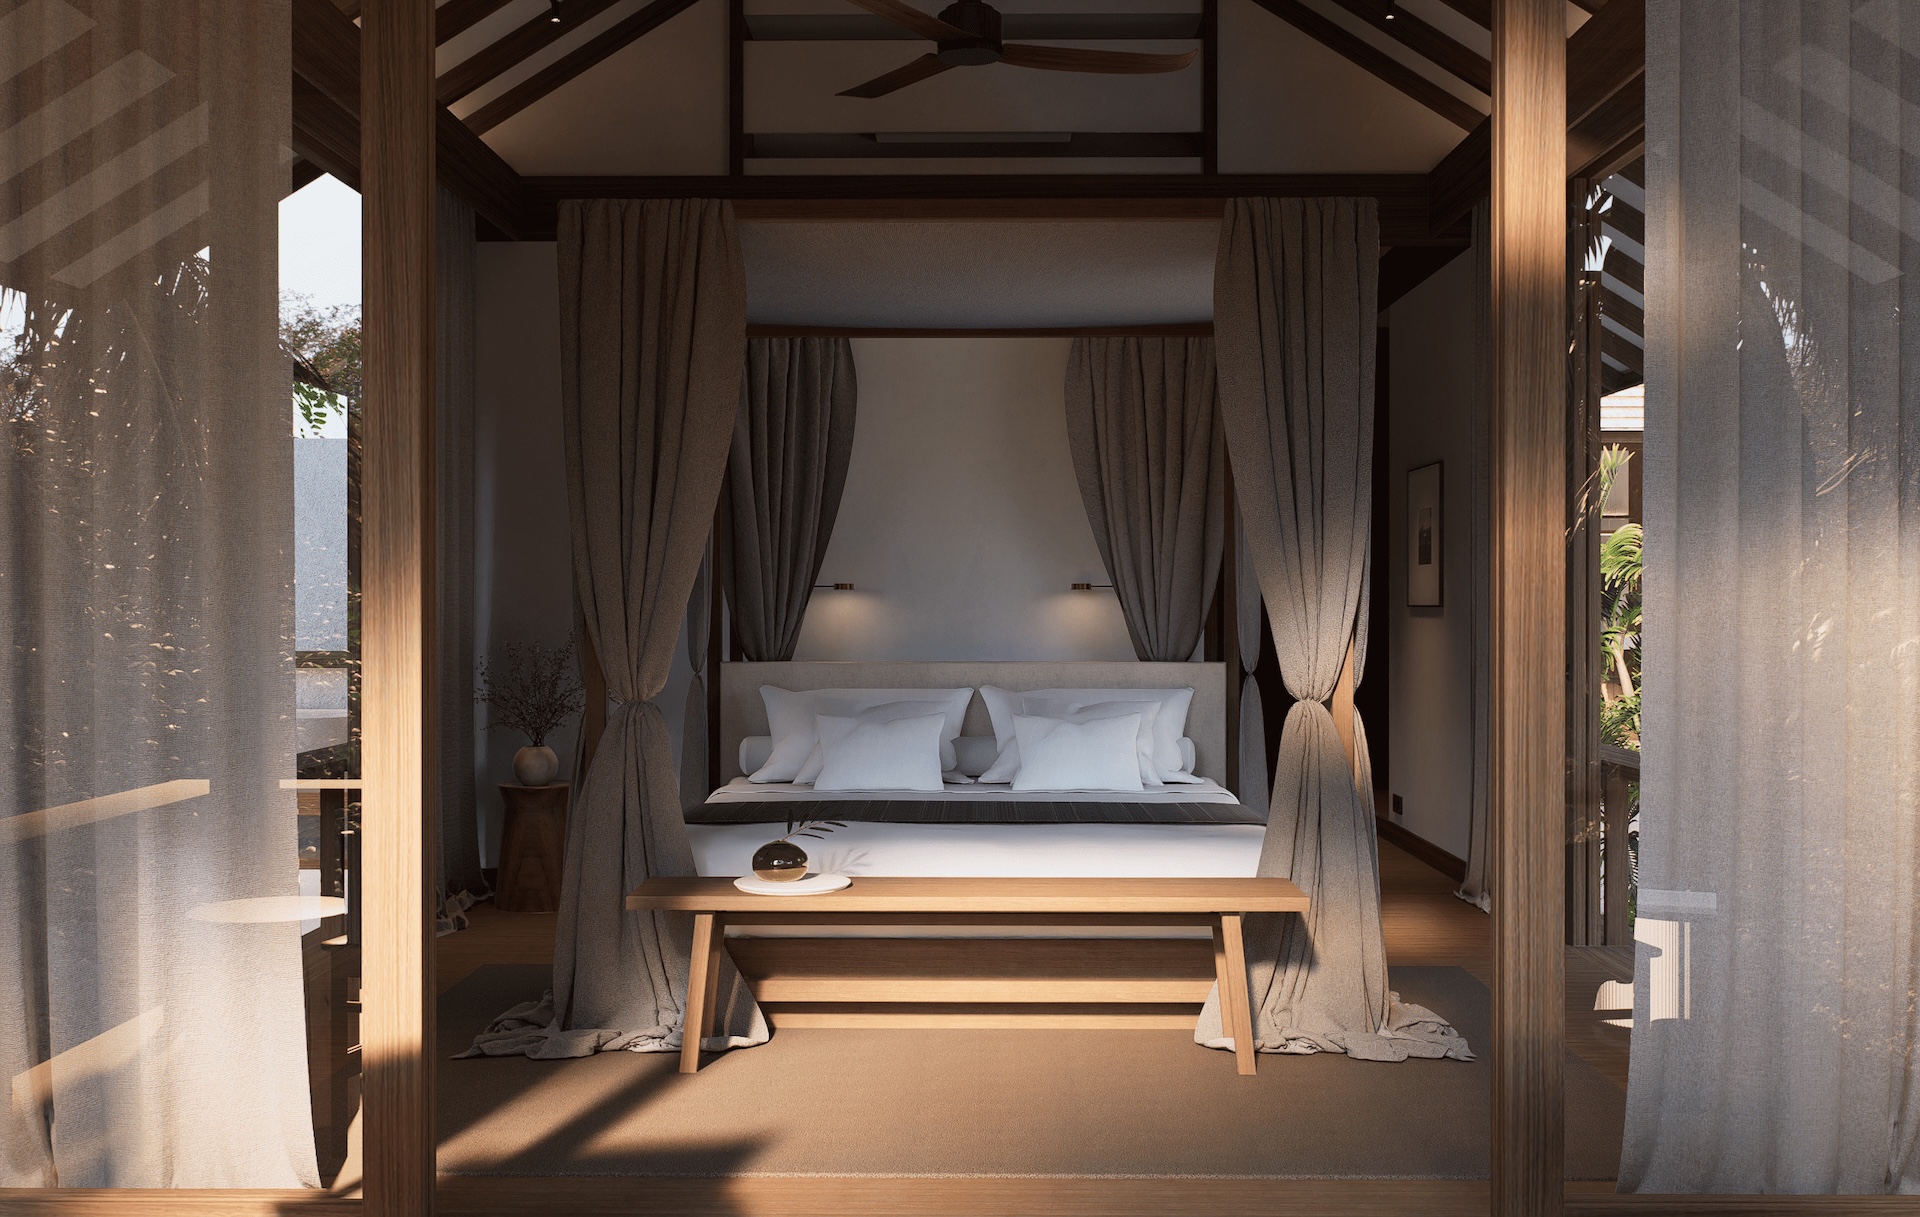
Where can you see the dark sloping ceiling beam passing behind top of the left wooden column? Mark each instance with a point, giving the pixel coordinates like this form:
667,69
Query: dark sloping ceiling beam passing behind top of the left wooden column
327,120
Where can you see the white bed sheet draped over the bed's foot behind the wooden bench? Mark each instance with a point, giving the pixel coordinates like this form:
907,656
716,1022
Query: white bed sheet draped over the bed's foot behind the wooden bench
1109,851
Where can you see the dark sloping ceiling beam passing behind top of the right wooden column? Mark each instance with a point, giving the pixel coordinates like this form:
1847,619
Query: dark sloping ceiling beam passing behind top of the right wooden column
1606,112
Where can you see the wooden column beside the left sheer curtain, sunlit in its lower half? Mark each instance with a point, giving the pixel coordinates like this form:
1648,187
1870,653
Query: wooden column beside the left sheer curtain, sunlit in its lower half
398,604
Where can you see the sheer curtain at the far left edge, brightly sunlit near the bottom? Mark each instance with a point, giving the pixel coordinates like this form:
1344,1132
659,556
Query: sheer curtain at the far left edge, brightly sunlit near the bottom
151,968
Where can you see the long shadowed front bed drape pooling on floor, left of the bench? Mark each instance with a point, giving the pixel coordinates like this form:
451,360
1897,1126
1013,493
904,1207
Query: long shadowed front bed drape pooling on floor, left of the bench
654,320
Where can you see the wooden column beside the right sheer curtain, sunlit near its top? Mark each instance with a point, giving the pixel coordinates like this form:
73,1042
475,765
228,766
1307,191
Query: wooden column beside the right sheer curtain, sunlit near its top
1529,604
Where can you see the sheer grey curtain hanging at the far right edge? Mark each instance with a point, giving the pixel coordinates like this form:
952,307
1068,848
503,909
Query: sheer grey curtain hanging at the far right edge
1777,920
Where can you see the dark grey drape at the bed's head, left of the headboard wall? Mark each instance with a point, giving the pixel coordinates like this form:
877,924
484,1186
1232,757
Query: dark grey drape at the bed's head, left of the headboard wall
792,442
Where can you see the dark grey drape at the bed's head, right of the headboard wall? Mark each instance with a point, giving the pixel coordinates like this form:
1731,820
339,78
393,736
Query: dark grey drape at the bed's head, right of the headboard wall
1147,450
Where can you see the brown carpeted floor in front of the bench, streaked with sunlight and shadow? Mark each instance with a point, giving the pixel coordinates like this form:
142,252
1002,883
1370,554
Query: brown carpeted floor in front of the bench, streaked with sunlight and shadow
988,1103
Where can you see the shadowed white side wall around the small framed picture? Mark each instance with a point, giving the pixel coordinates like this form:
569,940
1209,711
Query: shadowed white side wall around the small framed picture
1429,673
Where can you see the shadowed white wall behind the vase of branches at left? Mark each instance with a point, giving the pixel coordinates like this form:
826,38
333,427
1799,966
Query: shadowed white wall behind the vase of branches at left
523,563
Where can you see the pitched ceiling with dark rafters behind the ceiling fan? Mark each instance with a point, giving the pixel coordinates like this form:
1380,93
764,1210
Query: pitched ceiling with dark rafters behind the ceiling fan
640,87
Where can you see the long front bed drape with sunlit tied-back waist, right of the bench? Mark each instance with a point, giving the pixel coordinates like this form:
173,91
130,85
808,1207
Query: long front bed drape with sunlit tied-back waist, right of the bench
1295,318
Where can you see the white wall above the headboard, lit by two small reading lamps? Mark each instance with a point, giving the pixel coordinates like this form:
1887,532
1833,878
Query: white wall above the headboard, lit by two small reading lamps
963,523
